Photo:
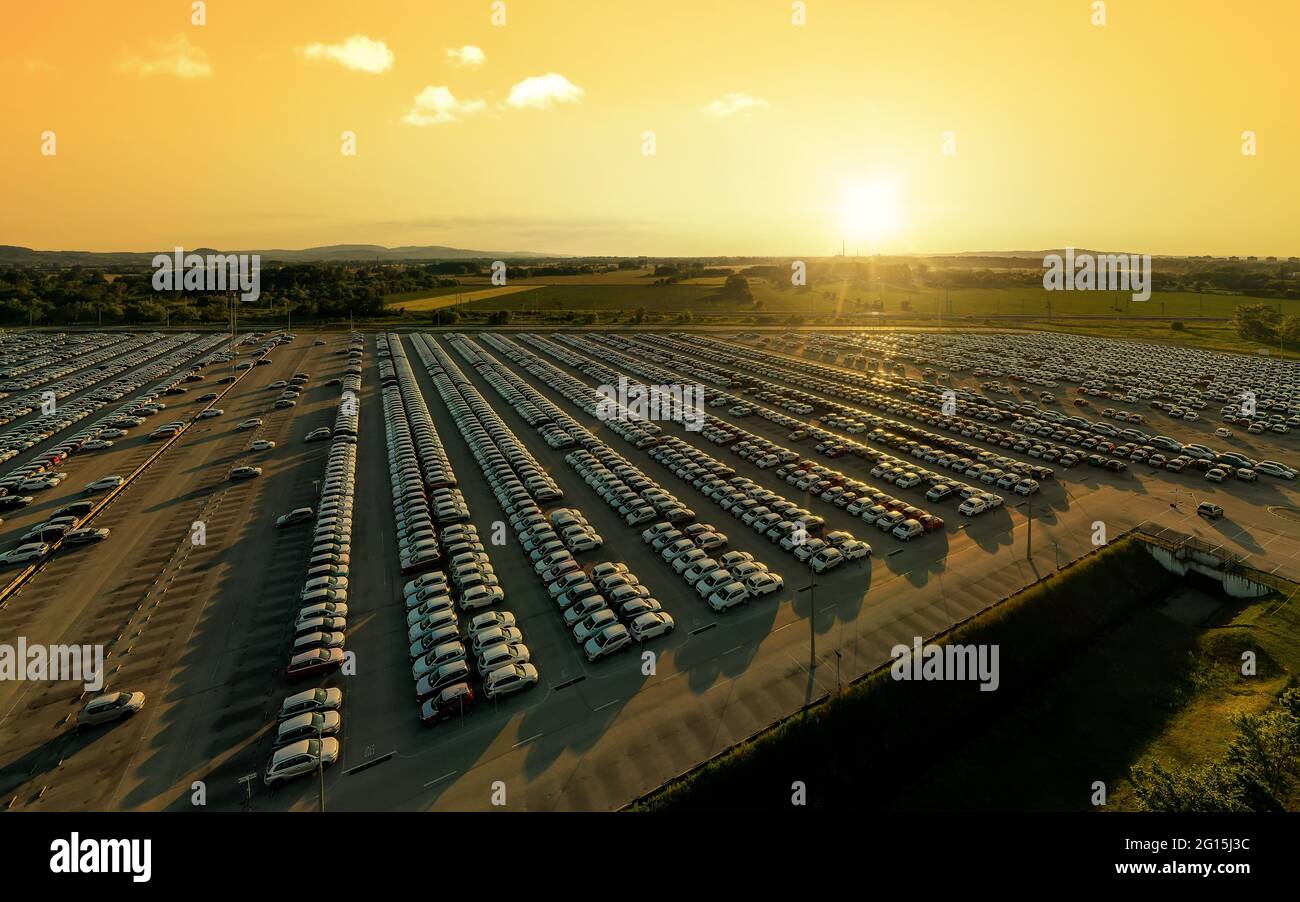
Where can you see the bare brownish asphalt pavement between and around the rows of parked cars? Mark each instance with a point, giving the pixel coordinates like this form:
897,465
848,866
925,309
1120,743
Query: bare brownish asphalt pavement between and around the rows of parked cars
203,630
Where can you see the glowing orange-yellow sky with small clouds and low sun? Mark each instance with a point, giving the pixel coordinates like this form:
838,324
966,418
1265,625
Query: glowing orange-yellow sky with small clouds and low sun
770,137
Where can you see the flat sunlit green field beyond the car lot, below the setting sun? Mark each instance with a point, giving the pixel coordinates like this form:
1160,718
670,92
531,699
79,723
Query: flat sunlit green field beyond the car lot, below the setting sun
614,300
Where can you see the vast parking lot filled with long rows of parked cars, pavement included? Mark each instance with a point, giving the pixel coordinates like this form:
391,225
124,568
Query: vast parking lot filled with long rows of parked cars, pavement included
834,496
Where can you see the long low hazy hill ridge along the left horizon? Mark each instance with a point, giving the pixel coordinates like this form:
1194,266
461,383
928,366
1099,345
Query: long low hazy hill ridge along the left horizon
14,255
